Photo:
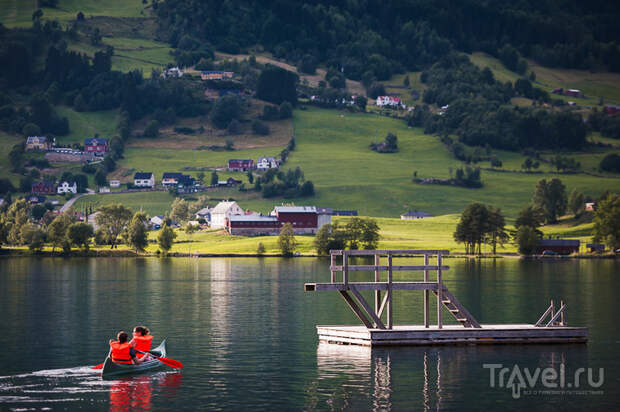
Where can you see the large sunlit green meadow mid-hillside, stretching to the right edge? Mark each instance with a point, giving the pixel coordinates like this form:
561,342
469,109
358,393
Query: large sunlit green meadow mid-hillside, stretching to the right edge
332,150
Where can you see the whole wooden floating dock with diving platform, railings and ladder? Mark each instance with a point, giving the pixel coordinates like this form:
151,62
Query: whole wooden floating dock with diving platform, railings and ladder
376,331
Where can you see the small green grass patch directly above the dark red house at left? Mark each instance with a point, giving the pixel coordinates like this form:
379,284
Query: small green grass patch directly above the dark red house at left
86,124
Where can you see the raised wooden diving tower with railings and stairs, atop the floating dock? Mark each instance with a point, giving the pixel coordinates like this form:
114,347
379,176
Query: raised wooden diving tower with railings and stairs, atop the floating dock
372,317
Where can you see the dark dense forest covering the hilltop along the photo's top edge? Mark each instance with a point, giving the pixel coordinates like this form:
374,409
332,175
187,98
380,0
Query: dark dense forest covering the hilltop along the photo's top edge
376,39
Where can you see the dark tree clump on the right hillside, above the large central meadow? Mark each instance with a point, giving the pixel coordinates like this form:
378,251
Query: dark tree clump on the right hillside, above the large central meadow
479,113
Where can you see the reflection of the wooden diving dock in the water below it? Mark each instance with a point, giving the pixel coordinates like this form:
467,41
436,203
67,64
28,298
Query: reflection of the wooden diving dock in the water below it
428,378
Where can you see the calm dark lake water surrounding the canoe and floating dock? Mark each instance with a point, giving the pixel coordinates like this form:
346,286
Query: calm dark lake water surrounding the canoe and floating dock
245,331
